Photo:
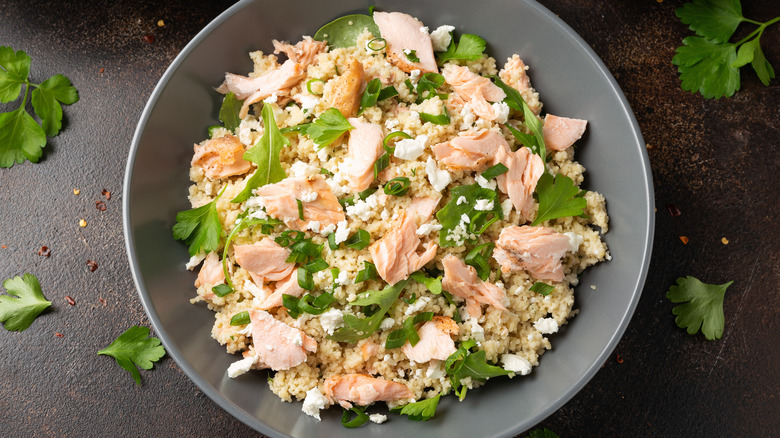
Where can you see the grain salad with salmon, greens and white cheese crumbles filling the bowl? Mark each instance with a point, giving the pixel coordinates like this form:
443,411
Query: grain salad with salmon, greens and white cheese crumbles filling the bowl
385,215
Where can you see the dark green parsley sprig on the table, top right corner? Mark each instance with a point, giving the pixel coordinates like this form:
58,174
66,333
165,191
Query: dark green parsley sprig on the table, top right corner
708,63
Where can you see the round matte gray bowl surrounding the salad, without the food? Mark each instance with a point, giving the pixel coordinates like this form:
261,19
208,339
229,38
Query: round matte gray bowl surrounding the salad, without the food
572,82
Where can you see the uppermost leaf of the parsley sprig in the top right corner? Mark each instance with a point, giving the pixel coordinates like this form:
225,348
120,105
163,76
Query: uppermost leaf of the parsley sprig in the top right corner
713,19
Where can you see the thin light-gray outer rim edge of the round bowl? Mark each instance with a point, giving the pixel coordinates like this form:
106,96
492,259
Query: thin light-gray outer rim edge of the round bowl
251,421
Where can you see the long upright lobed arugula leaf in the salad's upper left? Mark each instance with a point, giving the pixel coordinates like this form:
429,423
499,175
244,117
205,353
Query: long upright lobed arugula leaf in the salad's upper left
266,155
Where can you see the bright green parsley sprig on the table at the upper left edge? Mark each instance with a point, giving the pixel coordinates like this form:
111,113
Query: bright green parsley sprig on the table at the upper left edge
21,137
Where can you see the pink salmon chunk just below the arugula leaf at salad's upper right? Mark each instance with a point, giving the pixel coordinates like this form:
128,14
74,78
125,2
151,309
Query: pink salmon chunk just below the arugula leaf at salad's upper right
474,89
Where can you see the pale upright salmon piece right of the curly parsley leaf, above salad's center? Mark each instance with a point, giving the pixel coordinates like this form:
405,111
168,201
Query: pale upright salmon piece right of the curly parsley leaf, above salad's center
364,148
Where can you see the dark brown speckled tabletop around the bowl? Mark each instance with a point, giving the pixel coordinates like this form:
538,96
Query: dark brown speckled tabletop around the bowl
717,161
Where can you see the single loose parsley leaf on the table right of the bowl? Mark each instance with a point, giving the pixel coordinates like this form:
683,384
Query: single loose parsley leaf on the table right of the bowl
703,306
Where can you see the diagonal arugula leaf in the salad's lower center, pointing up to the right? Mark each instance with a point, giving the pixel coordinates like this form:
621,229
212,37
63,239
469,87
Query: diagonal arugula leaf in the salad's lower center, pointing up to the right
360,328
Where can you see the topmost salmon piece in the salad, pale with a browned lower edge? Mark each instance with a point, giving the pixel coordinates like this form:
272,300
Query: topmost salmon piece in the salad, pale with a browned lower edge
402,32
